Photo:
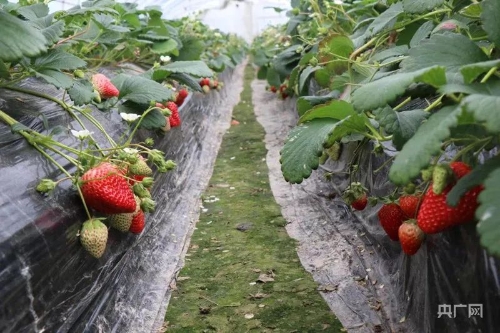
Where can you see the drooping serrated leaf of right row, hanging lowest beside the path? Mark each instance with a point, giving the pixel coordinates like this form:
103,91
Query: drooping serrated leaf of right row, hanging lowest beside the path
304,145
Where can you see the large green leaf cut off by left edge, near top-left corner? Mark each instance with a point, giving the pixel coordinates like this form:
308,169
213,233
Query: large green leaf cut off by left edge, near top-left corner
19,39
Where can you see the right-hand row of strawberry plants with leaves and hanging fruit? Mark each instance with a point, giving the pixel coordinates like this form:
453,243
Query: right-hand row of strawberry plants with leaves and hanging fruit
419,76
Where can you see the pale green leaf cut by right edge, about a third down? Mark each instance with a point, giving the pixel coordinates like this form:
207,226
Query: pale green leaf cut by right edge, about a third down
485,109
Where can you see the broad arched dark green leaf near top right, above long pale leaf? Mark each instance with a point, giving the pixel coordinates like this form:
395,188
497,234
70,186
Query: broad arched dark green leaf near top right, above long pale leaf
452,51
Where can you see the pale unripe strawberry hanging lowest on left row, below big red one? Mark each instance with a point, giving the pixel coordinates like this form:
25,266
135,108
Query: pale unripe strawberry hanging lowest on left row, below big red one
94,236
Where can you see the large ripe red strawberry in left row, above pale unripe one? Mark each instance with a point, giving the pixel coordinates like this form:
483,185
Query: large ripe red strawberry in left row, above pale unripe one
106,190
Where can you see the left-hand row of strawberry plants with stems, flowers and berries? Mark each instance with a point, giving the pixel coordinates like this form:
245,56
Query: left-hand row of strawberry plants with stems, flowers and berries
66,49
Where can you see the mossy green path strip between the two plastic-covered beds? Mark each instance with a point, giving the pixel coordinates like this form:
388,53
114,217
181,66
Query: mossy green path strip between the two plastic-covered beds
218,289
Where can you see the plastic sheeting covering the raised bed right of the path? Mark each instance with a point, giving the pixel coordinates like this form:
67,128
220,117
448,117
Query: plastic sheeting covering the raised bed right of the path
369,283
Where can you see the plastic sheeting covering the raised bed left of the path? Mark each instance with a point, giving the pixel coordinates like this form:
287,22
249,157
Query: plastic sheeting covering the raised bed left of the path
48,283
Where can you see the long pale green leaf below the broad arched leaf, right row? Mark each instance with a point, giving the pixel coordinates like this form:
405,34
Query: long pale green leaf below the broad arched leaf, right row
378,93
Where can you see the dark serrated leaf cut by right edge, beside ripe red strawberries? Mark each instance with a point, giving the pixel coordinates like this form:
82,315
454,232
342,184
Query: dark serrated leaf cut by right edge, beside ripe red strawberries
488,214
